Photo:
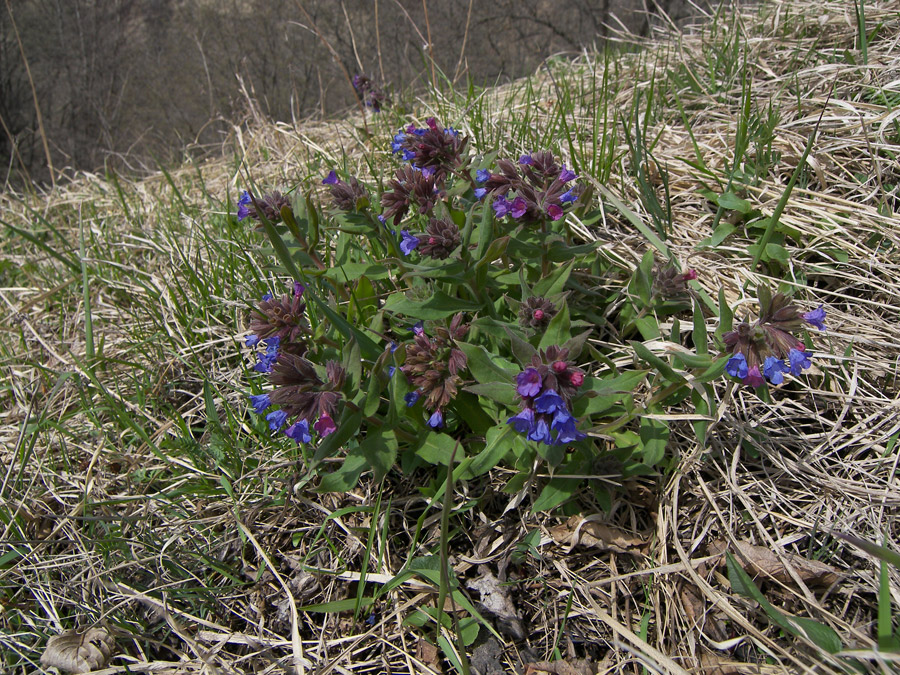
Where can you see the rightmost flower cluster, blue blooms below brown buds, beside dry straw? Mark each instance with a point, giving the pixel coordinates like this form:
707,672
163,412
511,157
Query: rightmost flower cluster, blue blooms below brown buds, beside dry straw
767,349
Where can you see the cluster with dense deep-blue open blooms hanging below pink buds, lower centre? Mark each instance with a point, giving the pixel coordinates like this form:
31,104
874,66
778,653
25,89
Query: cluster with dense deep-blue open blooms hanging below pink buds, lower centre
546,388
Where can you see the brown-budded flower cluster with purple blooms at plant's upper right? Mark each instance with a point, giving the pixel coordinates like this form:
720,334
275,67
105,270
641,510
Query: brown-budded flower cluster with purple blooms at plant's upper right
539,188
